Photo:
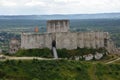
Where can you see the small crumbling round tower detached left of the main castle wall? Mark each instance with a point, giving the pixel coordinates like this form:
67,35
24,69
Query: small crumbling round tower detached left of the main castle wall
14,46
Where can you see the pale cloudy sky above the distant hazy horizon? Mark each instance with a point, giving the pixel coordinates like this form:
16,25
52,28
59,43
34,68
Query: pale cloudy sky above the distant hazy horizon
42,7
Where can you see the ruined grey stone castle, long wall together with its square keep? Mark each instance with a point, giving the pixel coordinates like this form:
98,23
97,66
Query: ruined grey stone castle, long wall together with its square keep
58,33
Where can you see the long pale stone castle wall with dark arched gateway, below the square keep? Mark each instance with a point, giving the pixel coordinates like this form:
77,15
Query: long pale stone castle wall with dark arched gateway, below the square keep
68,40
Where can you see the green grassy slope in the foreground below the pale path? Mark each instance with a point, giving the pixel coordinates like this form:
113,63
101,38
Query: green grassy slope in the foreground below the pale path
58,70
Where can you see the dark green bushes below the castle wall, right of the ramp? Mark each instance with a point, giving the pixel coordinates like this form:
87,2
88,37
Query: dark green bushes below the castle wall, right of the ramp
64,53
